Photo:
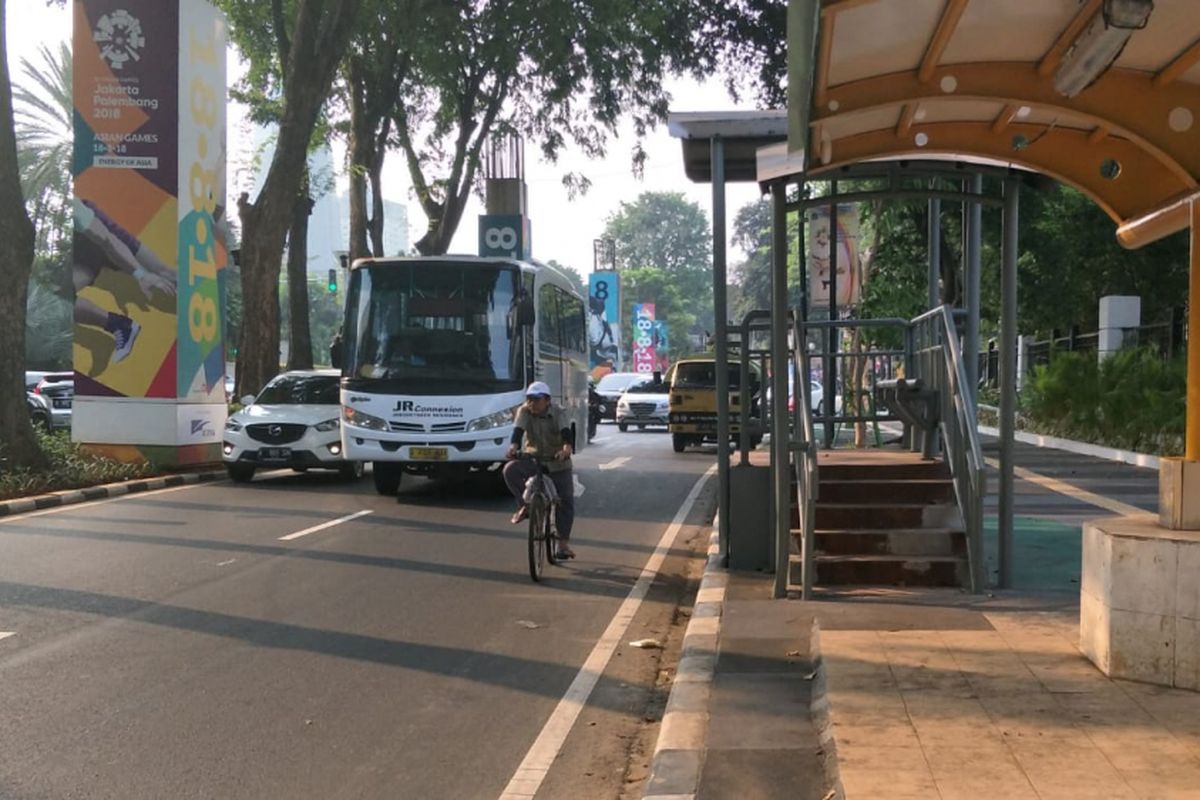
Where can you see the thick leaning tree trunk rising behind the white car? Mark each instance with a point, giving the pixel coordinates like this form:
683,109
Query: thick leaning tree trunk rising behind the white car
320,38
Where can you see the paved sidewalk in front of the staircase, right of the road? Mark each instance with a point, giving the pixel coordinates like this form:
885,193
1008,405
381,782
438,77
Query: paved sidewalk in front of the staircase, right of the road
926,694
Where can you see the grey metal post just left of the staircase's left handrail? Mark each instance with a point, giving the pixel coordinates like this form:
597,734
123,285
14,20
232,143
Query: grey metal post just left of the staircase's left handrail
781,370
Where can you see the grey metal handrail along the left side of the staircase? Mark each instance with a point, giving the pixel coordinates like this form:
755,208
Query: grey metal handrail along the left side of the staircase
803,444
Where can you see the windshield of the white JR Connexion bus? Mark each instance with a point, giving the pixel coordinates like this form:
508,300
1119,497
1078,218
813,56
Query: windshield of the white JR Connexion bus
434,328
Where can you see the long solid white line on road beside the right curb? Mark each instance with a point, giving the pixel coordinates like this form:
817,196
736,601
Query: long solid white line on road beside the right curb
532,772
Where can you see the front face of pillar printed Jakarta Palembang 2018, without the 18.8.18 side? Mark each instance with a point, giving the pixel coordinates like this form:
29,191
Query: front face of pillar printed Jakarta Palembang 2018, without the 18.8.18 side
127,181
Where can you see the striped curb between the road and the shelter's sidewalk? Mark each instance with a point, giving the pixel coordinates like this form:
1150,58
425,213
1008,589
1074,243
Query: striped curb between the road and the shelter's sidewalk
680,750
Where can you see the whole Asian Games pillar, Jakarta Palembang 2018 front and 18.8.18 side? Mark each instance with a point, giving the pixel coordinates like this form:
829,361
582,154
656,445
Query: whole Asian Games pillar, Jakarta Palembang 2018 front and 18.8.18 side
149,86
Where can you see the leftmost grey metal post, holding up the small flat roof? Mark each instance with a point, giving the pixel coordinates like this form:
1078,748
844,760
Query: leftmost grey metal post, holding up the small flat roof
722,336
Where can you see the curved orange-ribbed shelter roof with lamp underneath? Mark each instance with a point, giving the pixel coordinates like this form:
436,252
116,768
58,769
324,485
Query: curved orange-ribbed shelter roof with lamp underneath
1013,82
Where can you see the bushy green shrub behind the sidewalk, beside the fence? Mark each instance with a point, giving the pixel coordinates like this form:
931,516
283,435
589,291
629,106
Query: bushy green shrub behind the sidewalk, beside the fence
1136,400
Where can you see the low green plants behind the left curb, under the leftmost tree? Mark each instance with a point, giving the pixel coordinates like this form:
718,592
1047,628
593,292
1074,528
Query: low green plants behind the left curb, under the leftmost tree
70,468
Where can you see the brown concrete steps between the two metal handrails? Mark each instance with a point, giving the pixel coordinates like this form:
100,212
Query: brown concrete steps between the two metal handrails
885,518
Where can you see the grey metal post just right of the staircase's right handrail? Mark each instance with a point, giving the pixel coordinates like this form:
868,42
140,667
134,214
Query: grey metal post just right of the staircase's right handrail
1009,377
